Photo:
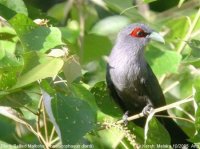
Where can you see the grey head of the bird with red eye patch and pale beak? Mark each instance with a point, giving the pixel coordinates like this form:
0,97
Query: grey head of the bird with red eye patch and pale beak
137,36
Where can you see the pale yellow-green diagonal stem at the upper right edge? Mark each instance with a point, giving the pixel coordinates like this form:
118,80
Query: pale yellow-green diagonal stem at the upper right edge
188,35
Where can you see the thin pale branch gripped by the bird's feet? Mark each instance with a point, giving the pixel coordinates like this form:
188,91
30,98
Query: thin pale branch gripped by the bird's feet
167,107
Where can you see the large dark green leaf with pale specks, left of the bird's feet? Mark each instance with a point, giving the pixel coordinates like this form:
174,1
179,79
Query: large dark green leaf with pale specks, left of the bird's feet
70,113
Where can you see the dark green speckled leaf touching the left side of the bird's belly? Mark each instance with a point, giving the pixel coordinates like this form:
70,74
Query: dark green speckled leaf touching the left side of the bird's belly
104,100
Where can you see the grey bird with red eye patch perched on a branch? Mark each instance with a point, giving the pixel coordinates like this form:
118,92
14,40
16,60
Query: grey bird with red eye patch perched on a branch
132,83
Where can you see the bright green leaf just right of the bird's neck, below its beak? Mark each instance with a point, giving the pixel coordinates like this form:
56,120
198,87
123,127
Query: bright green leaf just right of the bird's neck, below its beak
163,61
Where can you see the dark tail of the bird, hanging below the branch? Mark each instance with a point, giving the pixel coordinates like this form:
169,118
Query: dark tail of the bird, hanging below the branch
179,139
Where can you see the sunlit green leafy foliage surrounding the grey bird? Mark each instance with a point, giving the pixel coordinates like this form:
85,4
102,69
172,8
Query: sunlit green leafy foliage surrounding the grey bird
52,71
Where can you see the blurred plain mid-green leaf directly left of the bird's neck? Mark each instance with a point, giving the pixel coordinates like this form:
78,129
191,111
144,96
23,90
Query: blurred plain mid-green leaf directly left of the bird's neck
95,47
